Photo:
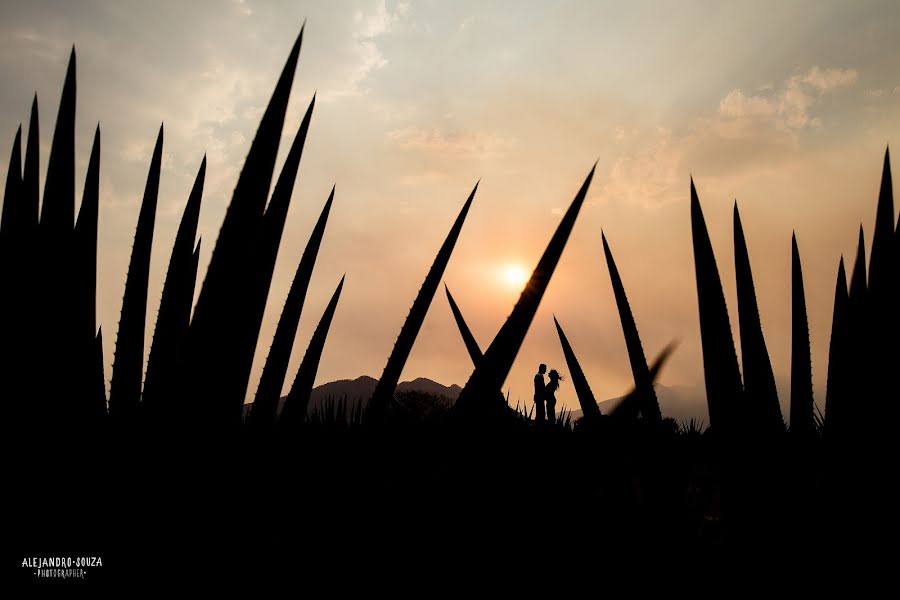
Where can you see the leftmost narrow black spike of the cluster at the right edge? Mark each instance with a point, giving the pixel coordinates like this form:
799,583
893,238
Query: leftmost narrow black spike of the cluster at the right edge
836,394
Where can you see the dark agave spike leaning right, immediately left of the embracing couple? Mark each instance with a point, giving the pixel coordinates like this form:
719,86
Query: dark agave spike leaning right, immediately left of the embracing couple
491,372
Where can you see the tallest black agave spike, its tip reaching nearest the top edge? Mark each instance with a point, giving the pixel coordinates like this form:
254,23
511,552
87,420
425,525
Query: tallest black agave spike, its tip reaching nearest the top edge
211,366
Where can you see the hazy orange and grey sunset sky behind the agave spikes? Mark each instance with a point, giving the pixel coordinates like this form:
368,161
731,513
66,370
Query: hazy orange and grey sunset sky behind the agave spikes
785,107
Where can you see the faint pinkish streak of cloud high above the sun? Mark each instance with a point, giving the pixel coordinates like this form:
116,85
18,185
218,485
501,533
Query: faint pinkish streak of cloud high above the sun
467,144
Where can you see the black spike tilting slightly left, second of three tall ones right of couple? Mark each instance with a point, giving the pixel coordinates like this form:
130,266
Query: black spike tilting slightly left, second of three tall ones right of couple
761,395
